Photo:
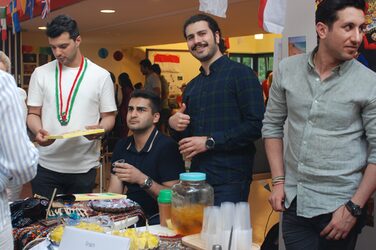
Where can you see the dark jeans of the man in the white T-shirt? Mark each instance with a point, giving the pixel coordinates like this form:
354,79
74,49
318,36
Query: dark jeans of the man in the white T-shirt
46,180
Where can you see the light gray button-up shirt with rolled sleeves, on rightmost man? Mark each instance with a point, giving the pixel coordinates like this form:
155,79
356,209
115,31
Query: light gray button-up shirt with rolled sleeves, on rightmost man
331,130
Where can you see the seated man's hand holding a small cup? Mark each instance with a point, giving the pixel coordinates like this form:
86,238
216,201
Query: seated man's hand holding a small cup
127,172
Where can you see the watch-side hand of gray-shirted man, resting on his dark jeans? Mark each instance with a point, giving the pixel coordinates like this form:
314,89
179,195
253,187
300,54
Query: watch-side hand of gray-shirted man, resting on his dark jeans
340,225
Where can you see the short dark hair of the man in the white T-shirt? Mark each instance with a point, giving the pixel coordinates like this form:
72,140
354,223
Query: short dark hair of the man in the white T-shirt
61,24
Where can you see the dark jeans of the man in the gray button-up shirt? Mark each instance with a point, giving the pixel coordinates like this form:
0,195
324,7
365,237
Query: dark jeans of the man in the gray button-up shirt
304,233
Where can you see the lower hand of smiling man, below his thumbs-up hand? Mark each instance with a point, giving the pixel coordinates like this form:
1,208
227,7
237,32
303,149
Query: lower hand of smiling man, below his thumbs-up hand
191,146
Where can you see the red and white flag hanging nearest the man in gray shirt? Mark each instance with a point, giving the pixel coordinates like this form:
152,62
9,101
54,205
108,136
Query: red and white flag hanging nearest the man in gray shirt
271,15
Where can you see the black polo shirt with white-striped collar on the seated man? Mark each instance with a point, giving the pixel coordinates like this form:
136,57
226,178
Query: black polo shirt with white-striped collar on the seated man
160,159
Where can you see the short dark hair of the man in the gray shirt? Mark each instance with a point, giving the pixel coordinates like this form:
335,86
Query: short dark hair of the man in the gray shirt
327,9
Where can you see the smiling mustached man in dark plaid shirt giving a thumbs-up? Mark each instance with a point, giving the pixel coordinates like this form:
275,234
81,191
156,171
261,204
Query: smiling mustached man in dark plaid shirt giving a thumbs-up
221,115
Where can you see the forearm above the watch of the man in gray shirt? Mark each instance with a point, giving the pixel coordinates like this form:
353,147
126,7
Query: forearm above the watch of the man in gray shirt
367,186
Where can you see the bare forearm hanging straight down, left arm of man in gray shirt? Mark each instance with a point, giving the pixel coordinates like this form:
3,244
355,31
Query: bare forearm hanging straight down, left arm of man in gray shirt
274,153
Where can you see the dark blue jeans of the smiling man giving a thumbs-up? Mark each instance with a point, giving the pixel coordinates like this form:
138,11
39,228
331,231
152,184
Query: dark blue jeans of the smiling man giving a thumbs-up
231,192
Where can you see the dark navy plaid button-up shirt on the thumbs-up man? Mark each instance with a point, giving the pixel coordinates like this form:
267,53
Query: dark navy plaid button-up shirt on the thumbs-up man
227,105
